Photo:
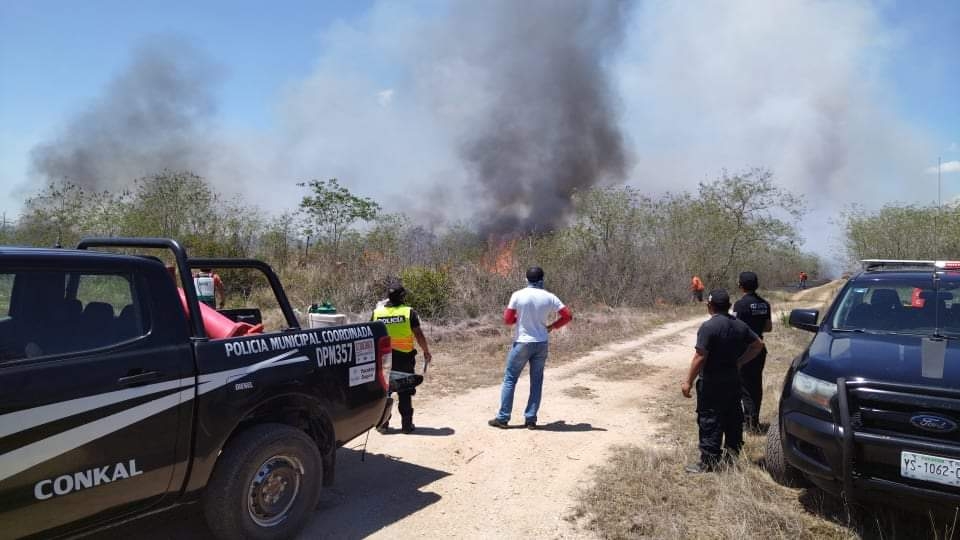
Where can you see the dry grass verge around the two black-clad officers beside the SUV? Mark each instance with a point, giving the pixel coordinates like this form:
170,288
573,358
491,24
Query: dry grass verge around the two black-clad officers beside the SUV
644,492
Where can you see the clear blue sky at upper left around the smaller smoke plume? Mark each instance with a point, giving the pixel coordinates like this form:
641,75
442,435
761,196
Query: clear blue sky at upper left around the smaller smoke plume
55,55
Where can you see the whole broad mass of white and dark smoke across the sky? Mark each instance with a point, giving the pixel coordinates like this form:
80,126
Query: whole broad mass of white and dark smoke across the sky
499,110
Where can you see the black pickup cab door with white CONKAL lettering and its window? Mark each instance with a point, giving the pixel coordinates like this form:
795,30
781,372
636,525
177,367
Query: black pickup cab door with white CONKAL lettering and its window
96,396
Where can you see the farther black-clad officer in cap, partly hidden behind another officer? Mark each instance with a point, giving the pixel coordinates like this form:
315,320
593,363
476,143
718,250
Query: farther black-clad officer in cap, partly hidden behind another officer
754,311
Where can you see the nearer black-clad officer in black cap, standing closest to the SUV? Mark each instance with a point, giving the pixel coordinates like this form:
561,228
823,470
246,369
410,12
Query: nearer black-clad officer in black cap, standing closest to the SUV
724,345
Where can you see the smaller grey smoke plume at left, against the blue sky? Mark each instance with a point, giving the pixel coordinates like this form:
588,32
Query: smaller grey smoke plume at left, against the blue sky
153,116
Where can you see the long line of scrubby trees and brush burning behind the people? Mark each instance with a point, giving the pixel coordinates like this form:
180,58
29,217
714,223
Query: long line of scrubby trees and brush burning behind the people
619,246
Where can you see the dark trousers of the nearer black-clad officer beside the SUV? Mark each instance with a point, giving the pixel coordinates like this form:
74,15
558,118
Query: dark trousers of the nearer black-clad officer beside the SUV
720,419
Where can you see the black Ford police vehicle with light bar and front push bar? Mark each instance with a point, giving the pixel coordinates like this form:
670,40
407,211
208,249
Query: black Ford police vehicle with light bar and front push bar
871,408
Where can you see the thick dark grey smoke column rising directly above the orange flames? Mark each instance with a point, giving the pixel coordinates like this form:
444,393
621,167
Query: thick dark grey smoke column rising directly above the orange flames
549,124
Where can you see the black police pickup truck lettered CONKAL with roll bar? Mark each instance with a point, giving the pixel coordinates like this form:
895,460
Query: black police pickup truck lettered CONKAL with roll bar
116,402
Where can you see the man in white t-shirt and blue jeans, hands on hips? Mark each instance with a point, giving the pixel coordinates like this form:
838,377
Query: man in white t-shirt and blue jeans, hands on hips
529,309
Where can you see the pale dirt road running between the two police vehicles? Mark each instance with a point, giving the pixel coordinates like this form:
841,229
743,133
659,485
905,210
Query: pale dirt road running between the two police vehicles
458,477
